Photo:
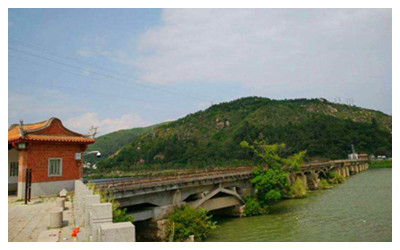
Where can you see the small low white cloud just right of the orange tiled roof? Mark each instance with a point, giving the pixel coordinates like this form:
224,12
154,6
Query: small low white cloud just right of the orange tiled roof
84,122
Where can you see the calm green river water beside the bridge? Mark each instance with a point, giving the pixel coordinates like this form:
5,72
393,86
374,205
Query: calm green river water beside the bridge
358,210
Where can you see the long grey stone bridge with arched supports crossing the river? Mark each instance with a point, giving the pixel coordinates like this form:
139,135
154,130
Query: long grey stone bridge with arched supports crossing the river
219,191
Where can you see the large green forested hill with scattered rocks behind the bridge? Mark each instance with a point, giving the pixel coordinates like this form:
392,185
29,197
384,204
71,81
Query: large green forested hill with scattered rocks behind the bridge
211,137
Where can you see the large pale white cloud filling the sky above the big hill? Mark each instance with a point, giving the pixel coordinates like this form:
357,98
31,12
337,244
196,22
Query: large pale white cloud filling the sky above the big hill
275,52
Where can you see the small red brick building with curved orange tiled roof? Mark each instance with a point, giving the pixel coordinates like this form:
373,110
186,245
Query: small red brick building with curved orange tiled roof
51,151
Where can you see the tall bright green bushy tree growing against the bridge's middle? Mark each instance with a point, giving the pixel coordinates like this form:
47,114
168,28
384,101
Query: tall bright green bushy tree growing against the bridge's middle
271,184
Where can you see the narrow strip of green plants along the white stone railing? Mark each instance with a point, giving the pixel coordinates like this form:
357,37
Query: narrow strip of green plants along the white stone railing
119,215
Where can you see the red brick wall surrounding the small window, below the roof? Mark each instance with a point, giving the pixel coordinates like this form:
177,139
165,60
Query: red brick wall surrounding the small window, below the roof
37,155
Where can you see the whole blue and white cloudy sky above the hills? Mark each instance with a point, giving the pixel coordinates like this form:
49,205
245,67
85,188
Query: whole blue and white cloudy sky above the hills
124,68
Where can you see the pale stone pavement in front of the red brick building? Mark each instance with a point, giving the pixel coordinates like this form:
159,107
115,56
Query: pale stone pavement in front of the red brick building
28,222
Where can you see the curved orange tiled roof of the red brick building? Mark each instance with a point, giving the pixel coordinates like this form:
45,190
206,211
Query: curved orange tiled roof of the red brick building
32,135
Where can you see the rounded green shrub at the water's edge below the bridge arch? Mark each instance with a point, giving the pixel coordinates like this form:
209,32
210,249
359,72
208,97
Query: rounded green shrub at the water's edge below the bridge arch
186,221
